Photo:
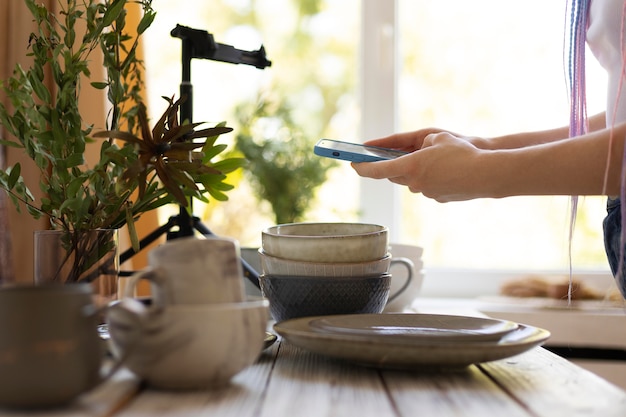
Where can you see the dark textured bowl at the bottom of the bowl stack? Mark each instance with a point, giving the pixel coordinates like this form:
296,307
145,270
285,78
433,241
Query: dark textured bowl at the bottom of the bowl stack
292,296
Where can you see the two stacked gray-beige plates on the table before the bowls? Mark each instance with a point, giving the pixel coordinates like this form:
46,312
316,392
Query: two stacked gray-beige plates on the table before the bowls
411,340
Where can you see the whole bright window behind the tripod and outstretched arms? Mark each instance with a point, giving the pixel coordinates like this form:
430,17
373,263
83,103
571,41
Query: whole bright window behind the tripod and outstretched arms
479,67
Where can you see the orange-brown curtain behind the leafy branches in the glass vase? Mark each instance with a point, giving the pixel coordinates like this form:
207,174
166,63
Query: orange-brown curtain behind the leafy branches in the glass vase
16,229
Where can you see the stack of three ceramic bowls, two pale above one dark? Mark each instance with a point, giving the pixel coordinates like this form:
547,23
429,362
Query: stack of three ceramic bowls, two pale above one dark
312,269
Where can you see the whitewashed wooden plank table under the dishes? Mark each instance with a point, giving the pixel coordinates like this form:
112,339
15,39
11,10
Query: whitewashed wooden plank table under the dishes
289,382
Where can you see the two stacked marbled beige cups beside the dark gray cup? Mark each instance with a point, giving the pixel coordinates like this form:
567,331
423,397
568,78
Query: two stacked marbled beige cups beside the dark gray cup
200,330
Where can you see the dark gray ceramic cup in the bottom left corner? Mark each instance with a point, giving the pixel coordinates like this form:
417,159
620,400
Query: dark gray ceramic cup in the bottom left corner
50,350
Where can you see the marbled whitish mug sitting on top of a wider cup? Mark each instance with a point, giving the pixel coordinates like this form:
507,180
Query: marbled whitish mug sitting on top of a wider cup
193,271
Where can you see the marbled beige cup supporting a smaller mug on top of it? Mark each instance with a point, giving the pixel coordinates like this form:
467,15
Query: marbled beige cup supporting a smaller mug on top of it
192,346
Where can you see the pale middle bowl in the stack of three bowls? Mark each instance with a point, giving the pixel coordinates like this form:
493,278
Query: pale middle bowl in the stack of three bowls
272,265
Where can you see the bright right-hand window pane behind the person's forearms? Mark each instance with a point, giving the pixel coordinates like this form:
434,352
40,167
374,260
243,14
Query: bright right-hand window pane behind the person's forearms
485,68
